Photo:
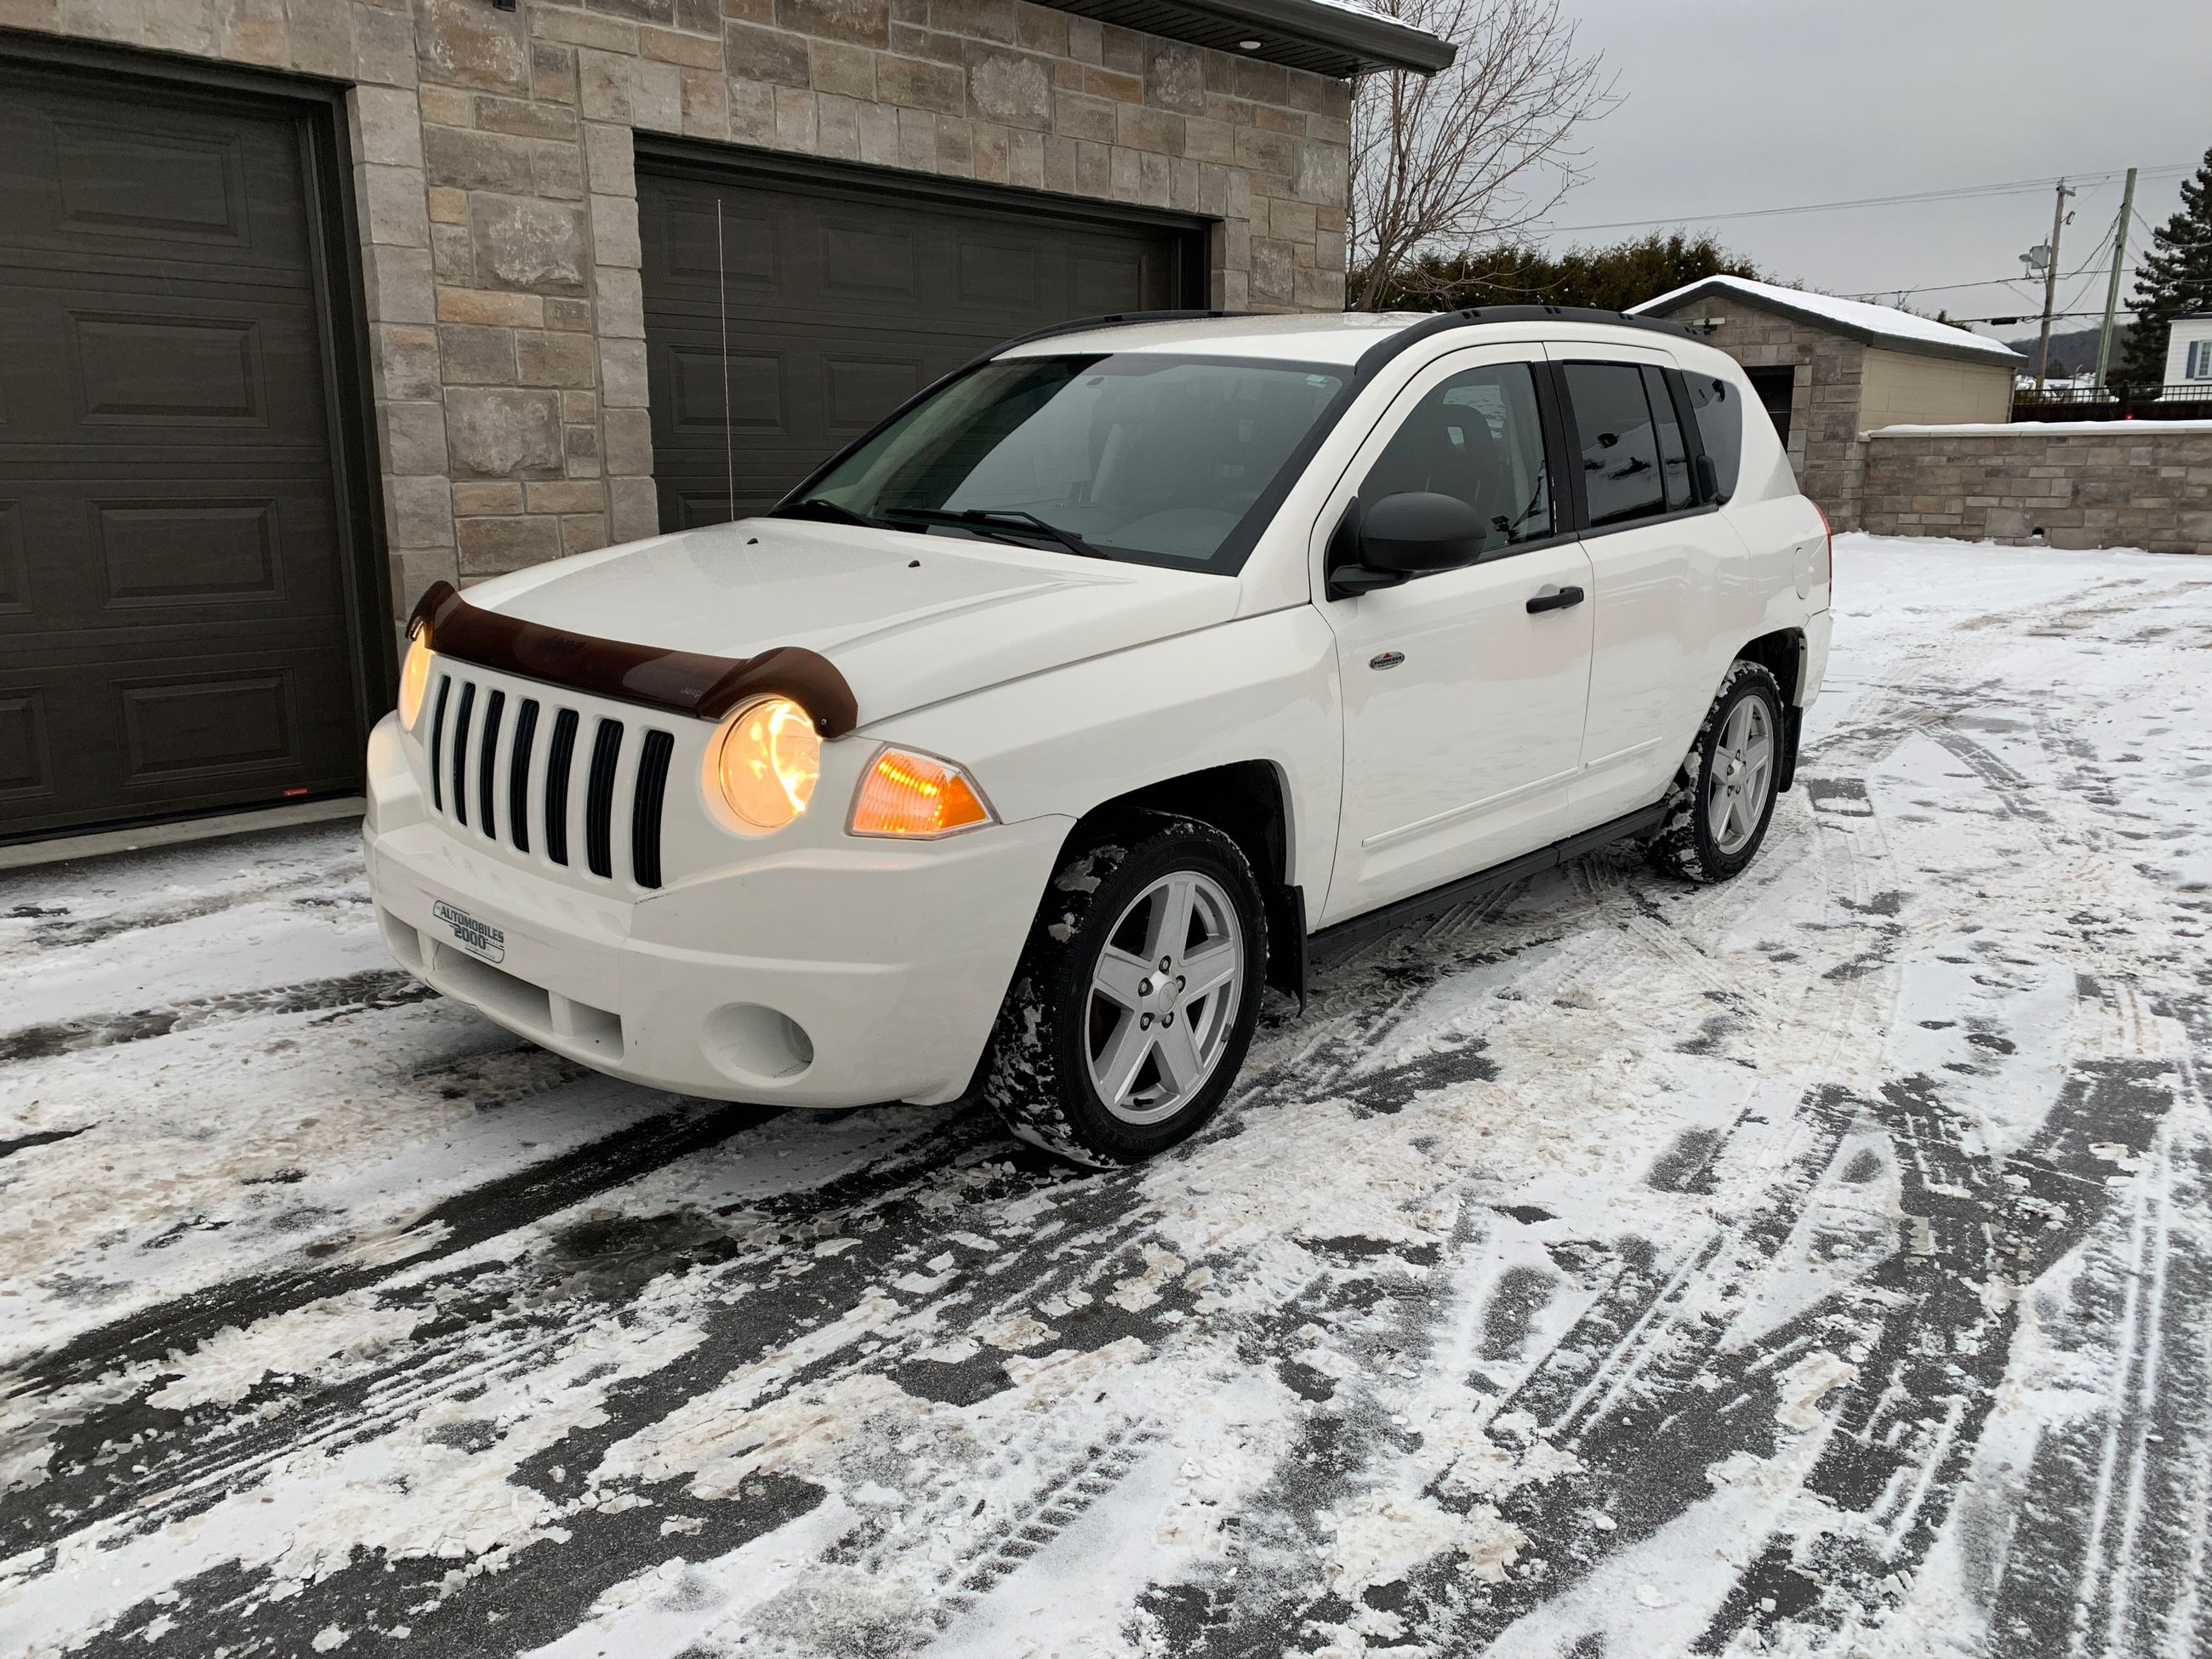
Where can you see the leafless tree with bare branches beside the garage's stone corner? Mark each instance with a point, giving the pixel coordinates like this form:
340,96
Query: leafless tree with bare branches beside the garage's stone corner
1474,154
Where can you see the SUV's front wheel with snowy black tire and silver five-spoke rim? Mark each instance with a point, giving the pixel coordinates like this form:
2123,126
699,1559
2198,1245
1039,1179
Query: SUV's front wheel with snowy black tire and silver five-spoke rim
1061,1023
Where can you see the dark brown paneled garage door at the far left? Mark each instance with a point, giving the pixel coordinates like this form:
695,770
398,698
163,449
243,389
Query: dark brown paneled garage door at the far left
174,592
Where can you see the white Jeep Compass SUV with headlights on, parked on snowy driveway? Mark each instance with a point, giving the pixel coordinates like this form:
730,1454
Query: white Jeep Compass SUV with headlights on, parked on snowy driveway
1030,738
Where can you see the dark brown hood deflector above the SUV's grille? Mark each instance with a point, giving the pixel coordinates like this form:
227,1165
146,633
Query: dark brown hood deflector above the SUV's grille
682,682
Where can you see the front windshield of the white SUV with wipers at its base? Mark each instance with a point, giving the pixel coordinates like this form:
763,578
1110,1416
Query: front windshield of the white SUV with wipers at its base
1136,457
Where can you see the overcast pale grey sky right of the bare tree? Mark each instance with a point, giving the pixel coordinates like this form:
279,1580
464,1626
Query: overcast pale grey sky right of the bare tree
1735,105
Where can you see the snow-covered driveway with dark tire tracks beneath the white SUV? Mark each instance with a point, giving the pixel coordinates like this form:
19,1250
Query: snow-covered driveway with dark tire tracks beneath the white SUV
1607,1271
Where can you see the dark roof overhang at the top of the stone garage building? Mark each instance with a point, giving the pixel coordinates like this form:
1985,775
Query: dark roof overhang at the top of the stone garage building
1326,36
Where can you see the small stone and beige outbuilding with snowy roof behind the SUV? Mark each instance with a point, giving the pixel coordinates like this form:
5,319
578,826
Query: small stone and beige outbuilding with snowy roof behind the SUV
1830,371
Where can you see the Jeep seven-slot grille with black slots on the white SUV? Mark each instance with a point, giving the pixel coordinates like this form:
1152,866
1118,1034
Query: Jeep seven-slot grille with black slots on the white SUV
488,775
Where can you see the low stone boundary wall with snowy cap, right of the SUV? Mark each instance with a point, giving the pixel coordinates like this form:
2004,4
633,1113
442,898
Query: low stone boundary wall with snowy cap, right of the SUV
2083,486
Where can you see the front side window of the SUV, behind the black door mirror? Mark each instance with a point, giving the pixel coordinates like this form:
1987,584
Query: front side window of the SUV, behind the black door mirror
1474,437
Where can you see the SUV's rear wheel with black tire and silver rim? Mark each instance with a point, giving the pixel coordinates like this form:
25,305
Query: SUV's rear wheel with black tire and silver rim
1715,782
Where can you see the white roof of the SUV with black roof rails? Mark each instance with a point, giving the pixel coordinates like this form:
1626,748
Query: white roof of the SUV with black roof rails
1304,337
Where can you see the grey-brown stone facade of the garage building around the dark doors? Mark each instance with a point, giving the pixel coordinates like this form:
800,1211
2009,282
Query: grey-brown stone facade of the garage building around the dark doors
499,200
